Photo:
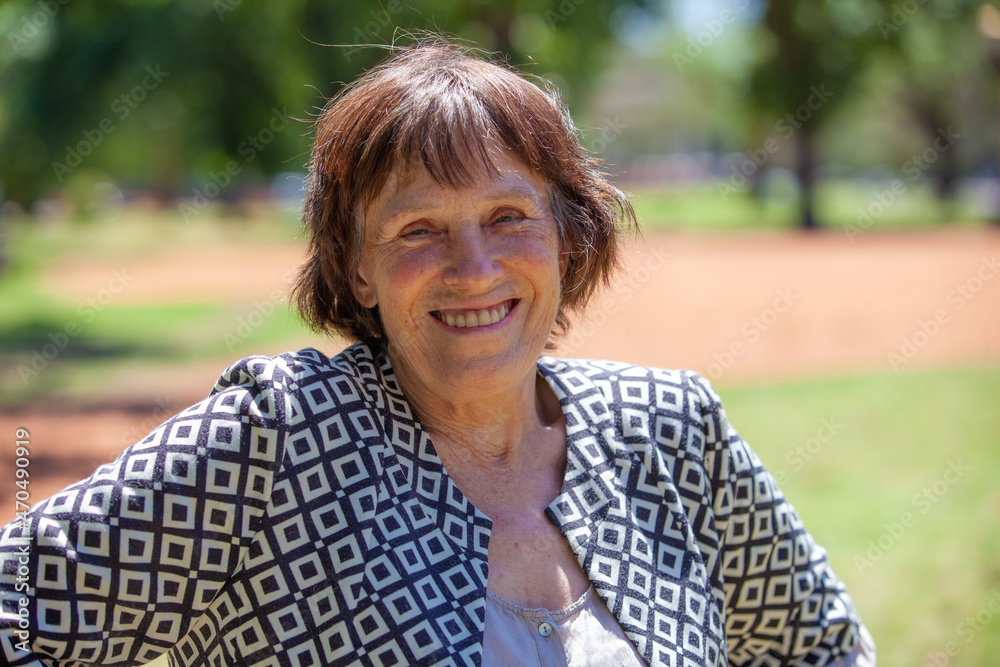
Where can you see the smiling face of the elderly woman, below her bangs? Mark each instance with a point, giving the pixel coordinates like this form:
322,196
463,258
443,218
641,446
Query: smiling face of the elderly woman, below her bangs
467,279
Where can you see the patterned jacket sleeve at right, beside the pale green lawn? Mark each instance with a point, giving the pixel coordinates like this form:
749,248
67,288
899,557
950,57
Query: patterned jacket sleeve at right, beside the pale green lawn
784,603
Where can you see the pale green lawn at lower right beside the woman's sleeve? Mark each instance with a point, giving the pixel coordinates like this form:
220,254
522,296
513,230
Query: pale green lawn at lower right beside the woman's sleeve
889,437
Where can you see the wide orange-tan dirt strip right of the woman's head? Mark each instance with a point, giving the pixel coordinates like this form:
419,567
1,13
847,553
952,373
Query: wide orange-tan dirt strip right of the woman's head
772,306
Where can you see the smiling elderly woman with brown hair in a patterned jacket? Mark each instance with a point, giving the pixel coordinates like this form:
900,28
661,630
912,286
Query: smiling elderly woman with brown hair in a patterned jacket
437,493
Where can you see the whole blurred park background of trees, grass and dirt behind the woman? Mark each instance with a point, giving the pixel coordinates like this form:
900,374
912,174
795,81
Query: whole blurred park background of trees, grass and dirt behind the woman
817,184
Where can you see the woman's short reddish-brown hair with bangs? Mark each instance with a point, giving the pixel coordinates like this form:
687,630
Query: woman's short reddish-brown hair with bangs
436,104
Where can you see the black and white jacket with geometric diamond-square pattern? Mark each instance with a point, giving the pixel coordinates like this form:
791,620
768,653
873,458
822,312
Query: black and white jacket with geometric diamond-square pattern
300,516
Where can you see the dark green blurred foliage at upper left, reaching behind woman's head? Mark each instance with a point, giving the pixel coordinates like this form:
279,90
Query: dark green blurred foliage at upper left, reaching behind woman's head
169,94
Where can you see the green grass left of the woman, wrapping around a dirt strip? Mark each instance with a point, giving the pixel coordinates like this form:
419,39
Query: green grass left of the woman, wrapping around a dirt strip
122,335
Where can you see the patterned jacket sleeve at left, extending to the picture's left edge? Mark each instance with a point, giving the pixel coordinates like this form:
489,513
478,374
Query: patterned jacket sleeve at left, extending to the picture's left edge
114,569
